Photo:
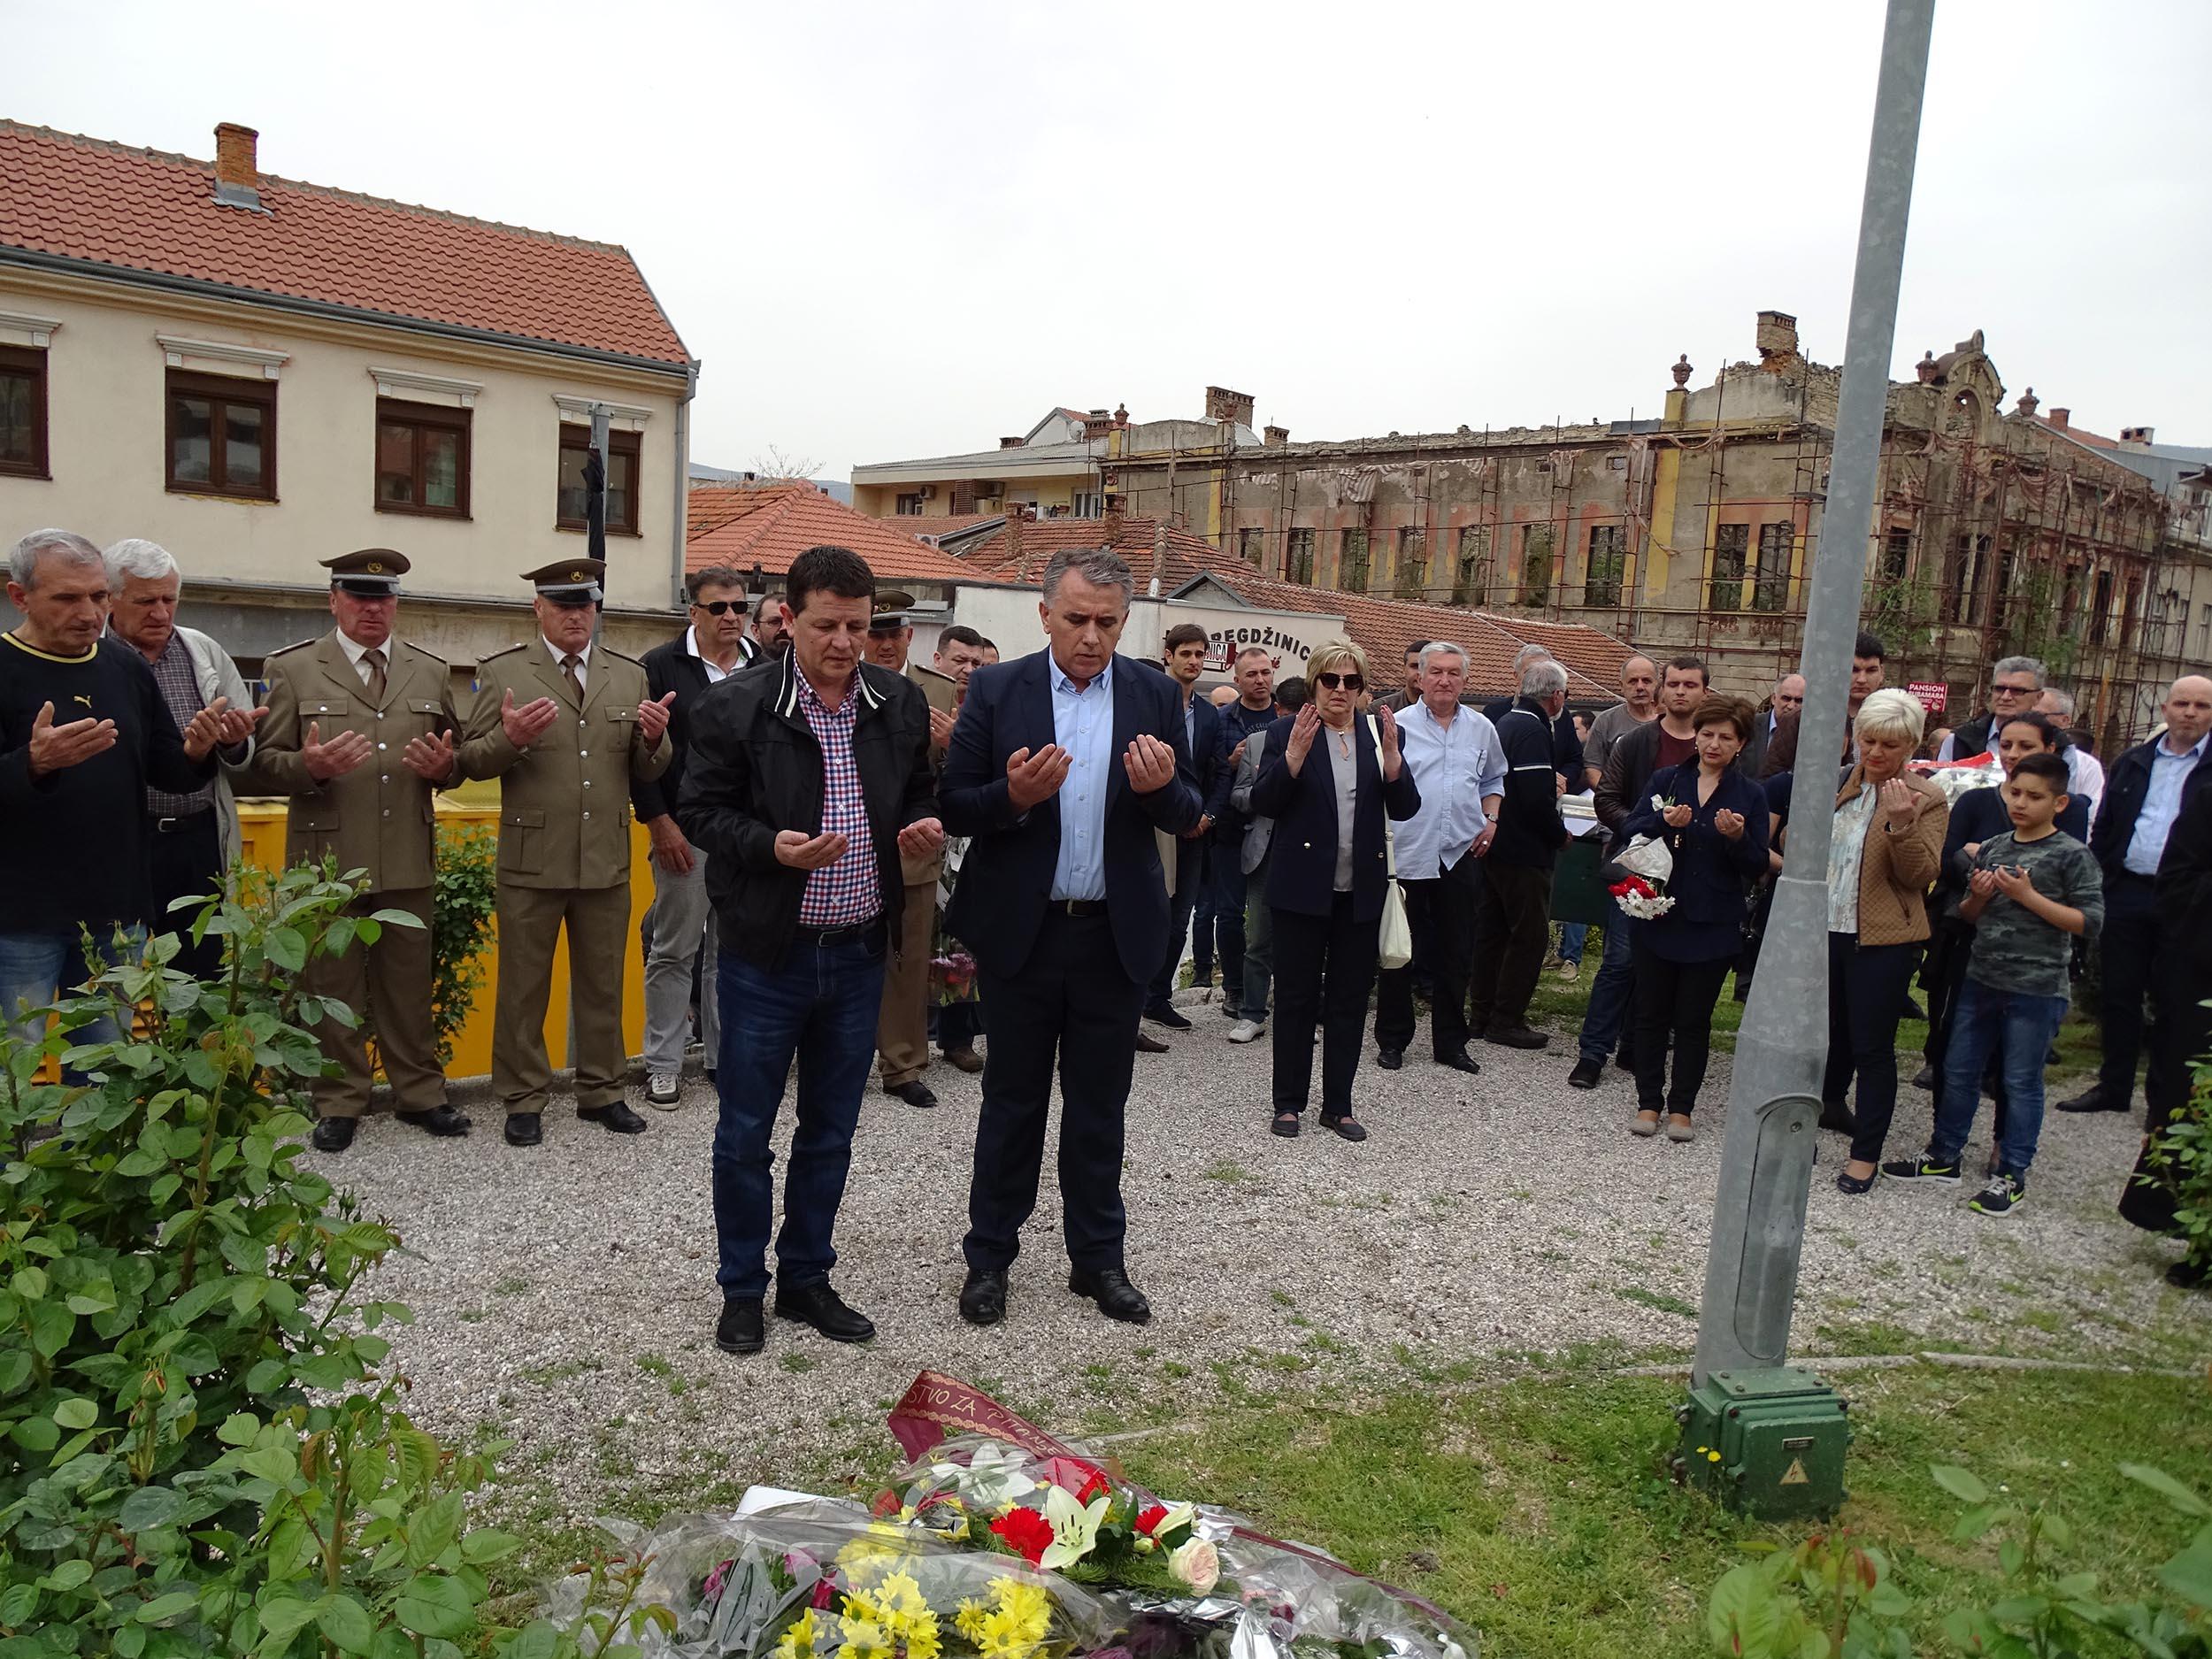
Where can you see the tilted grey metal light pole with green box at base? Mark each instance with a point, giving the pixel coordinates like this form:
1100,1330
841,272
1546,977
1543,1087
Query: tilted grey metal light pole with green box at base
1775,1103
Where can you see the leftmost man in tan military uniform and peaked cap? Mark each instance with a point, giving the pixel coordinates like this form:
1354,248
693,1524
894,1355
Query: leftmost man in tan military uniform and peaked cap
359,733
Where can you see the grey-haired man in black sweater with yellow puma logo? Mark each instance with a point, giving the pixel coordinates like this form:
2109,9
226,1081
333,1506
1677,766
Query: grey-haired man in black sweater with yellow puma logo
83,738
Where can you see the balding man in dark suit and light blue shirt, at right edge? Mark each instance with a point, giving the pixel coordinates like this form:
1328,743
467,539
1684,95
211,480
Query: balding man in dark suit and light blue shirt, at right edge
2145,795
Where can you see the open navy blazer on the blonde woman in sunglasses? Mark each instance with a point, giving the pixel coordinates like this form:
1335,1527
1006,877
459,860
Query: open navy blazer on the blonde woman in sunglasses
1302,864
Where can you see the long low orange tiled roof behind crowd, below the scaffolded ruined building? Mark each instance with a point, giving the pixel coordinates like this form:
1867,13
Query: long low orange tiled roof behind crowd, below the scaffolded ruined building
1388,627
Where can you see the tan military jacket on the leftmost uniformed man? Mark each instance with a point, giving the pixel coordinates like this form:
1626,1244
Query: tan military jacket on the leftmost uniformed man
379,817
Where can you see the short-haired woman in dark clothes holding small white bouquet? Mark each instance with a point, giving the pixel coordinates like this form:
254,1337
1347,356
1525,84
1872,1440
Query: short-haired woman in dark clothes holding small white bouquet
1715,824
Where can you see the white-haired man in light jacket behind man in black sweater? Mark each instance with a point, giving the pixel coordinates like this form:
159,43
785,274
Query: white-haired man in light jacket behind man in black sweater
194,835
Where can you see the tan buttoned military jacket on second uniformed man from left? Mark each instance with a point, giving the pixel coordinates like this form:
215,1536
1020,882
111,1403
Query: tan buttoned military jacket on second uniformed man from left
565,804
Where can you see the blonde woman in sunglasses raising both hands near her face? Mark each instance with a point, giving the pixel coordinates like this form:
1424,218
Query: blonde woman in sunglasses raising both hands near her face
1328,782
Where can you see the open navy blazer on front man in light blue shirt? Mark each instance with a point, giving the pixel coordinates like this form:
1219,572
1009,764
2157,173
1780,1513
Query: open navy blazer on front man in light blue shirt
1008,875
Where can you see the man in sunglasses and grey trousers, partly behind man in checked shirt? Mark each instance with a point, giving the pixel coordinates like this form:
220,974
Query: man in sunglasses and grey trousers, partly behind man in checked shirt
680,928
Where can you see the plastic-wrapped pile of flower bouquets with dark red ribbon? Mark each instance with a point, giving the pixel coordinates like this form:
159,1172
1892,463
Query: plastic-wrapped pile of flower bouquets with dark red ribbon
1001,1543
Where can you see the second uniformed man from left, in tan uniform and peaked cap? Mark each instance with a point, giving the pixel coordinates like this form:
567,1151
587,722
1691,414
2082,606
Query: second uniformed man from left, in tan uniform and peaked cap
567,729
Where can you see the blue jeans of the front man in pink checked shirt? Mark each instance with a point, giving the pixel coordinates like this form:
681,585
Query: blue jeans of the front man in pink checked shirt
820,1003
